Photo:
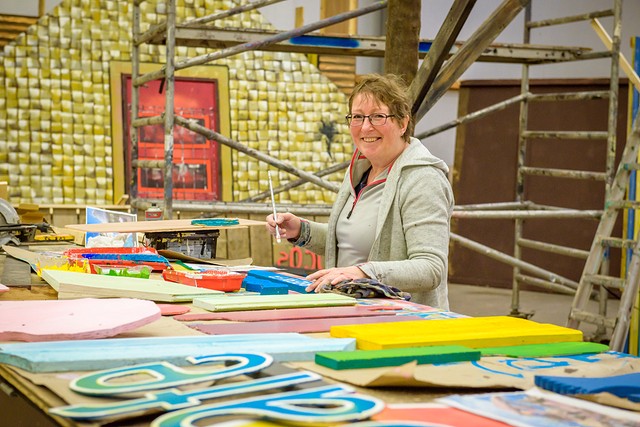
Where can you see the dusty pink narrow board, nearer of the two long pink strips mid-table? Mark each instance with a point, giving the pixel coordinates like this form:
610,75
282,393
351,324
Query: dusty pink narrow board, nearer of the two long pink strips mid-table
300,325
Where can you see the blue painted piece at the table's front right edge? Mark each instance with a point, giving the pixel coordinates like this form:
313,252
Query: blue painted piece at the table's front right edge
624,386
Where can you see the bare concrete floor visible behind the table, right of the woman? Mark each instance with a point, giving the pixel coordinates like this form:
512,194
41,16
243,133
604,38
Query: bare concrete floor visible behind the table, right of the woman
546,307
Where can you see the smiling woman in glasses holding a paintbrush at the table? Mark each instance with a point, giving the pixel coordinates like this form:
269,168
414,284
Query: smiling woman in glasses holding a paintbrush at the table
390,220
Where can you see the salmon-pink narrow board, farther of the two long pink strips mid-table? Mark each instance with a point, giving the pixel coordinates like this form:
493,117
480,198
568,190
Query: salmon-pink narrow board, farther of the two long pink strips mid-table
291,313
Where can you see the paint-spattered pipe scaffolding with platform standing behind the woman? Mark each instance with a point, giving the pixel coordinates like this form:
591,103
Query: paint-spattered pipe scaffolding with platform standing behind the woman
445,59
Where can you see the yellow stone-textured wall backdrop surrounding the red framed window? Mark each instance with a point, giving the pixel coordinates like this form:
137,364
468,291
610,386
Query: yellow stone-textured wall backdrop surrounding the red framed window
55,107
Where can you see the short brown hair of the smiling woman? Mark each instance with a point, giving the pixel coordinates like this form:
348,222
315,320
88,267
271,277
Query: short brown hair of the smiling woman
389,90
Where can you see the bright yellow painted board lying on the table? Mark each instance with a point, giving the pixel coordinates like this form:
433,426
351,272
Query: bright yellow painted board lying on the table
475,332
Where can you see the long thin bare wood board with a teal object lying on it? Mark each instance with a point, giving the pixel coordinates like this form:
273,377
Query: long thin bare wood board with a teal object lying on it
156,226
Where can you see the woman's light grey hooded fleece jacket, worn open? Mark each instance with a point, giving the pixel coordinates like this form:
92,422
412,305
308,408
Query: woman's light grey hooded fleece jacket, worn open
410,249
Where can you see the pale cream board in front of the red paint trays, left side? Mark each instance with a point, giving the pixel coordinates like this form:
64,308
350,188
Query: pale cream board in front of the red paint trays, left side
77,285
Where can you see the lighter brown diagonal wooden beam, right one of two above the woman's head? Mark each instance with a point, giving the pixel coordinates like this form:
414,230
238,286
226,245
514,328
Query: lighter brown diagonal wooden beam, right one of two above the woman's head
471,51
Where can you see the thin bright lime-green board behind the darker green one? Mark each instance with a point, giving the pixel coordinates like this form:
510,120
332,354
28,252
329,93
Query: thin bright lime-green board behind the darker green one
546,349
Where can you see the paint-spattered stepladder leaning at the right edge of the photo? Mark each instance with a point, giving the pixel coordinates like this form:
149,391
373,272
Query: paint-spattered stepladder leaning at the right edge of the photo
602,241
